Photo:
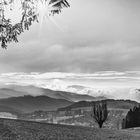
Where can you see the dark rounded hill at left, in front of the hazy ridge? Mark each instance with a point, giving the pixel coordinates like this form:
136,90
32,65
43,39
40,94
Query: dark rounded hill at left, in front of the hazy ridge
25,104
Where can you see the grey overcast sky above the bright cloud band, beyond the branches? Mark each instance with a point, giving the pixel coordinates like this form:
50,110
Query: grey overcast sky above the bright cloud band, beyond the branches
92,35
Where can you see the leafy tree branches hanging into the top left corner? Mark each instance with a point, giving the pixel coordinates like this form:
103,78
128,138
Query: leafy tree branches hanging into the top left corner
9,32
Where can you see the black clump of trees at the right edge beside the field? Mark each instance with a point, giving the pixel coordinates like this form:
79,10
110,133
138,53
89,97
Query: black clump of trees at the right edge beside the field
132,118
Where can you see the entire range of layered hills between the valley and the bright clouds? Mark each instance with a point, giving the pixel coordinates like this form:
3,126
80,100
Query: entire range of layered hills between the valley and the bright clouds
25,99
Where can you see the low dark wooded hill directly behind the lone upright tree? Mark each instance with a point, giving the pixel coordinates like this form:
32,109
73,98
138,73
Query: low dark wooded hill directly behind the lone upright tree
120,104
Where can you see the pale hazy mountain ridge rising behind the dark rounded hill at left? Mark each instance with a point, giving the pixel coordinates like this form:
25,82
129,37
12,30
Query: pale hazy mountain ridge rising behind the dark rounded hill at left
32,90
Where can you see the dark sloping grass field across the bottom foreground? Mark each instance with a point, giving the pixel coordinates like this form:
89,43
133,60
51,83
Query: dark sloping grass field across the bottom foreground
25,130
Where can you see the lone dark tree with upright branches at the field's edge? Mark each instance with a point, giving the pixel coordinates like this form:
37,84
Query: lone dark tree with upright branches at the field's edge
100,112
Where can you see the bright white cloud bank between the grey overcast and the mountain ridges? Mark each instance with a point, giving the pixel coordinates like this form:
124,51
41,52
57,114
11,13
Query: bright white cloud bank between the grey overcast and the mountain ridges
112,84
